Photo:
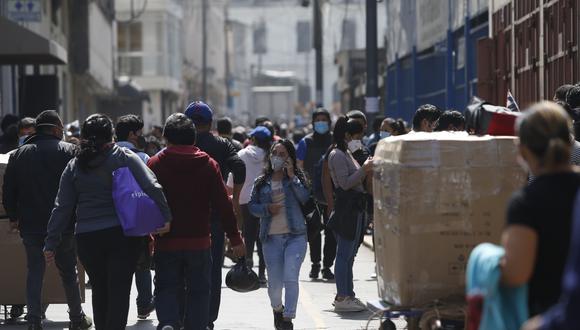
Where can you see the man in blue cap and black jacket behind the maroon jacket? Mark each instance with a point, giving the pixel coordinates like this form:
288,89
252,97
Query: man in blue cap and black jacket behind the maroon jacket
225,154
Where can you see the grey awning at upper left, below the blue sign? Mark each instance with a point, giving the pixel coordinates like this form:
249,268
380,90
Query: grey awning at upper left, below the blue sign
19,45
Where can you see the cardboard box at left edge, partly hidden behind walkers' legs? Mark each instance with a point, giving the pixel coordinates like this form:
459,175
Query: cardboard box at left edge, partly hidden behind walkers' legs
13,273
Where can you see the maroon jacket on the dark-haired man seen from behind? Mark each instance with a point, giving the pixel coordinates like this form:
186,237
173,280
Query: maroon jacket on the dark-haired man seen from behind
193,185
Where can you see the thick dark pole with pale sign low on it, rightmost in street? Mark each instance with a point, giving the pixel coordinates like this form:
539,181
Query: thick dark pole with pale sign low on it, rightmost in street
372,88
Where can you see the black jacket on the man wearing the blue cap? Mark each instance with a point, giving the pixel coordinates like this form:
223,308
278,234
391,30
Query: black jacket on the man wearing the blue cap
225,154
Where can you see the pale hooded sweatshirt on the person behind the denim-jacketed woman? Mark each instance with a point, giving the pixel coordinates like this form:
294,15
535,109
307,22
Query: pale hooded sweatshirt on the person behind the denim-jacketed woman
255,159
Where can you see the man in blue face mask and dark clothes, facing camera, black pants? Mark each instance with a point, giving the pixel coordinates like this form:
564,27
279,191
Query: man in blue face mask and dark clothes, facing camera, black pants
309,153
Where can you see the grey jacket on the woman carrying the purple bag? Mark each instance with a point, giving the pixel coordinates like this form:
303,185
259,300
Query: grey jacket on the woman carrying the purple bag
89,192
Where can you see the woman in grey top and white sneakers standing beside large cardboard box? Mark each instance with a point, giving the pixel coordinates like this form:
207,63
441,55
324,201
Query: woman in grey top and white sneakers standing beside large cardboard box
347,221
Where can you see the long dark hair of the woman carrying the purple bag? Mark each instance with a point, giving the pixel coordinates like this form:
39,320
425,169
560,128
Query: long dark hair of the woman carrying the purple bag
96,134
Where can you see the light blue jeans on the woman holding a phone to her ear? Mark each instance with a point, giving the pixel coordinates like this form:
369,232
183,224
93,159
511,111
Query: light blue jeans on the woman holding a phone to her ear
284,255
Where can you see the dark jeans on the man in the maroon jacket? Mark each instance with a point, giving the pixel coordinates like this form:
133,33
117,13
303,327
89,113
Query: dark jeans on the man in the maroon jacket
173,270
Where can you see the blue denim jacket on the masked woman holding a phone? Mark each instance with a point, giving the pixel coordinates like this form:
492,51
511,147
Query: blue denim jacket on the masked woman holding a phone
296,194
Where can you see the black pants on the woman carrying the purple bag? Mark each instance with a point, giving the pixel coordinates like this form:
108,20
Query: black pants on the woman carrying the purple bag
109,258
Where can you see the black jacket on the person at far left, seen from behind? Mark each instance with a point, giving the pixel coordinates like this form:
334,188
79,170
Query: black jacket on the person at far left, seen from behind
32,179
